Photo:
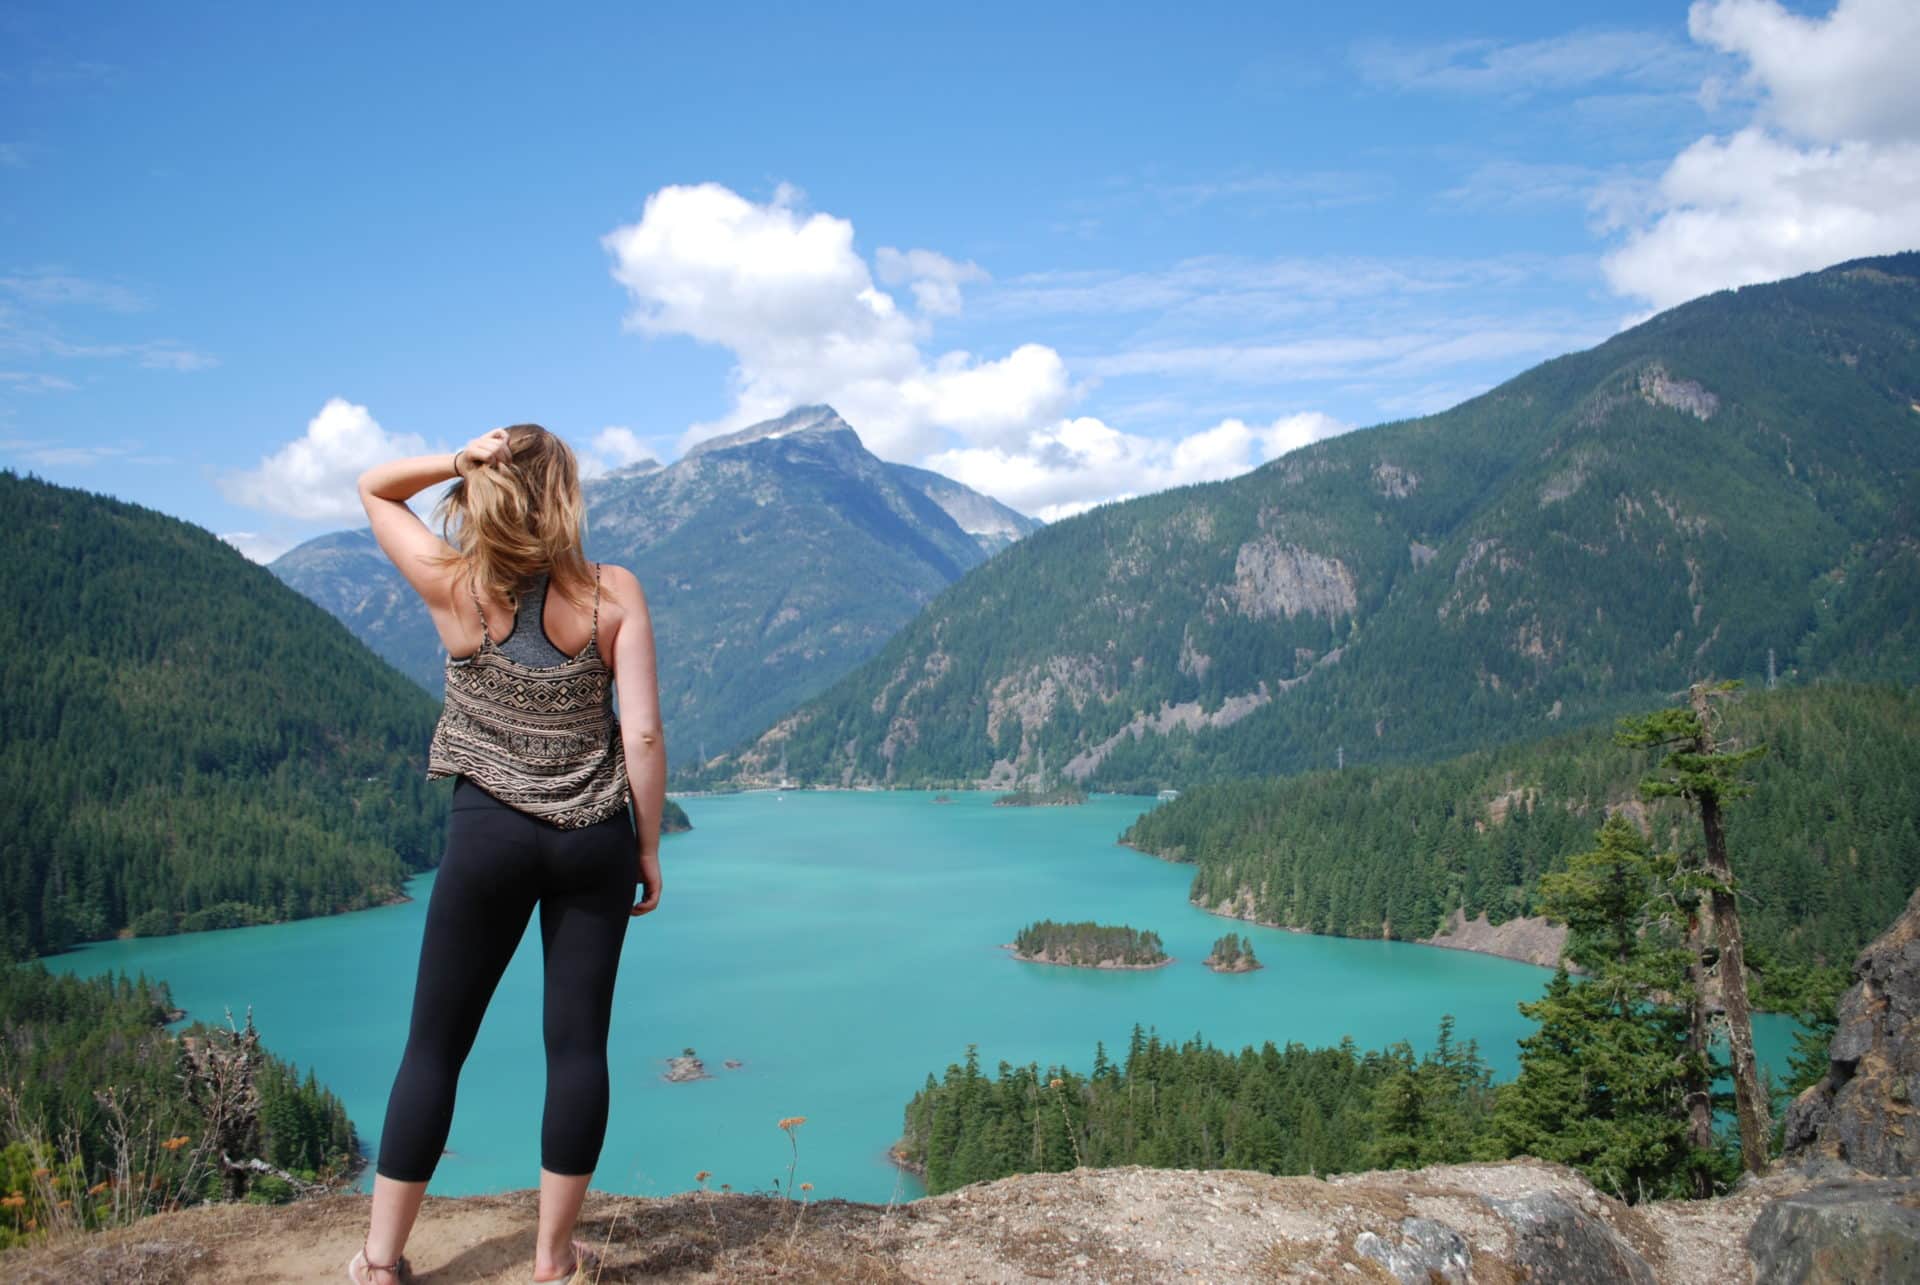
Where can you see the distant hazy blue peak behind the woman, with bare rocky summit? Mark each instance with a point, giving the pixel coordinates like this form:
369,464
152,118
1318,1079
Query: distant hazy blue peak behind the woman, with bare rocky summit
775,560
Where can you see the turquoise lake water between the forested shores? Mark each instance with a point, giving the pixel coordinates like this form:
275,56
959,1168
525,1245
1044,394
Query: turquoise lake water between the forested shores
840,946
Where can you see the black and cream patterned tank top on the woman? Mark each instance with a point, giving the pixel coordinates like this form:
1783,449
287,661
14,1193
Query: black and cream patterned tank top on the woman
540,739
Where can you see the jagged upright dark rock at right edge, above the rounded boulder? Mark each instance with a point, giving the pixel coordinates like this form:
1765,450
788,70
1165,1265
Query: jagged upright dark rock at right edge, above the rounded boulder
1863,1109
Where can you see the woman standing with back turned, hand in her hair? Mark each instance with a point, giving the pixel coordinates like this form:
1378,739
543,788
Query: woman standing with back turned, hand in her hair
544,781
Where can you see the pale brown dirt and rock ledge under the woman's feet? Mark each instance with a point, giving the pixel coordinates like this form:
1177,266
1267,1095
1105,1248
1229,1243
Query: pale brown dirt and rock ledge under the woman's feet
1126,1224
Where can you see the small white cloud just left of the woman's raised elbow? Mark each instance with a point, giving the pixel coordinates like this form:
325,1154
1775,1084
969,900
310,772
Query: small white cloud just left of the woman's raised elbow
316,477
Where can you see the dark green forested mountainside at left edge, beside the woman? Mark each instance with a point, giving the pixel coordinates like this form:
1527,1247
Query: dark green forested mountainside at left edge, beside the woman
189,744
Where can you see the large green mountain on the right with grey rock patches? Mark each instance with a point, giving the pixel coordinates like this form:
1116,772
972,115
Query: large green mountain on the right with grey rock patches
1727,487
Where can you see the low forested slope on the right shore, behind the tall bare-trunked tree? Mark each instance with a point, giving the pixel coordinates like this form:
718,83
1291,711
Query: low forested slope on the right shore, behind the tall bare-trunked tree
1827,848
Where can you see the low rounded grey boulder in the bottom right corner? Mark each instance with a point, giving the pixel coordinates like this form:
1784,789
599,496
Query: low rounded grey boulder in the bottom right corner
1838,1234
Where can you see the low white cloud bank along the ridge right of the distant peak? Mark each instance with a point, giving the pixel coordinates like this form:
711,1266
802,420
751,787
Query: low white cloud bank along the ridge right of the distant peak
1076,464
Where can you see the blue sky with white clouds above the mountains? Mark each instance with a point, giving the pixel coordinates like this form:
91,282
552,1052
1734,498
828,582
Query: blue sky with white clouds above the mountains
1063,253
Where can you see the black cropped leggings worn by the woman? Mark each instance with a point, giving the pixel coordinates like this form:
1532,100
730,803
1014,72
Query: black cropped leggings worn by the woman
502,863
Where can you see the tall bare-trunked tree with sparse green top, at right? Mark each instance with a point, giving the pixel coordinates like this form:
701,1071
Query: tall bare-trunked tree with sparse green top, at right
1710,775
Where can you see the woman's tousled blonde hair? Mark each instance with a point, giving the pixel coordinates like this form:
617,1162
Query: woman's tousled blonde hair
516,518
